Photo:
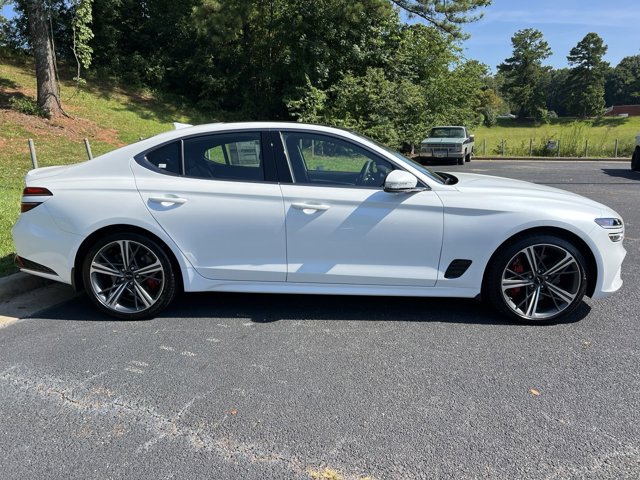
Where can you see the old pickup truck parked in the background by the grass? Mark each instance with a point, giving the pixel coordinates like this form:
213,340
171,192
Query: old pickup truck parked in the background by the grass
448,142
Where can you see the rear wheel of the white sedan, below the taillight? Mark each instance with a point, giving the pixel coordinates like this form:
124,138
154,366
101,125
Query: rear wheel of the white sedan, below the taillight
129,276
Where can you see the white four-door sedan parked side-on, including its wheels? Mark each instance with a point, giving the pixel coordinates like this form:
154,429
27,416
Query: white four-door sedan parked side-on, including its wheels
292,208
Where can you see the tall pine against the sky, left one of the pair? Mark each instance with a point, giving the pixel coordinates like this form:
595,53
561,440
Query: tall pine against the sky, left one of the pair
524,75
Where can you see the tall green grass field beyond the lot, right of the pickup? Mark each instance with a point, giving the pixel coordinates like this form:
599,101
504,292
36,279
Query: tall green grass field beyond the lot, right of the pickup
572,135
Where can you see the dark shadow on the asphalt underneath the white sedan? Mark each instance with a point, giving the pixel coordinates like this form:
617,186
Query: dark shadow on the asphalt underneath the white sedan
265,308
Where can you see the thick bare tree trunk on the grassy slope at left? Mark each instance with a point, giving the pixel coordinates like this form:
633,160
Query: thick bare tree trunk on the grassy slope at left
48,93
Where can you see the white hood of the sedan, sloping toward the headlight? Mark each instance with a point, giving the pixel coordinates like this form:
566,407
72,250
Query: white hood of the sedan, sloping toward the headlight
509,188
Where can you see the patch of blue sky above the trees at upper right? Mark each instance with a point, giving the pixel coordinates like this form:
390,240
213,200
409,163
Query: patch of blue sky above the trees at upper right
562,22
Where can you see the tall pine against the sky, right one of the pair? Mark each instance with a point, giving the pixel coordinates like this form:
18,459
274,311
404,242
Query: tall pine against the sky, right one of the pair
585,86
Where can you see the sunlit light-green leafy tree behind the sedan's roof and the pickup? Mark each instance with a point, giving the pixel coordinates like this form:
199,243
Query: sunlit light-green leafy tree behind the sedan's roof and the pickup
397,104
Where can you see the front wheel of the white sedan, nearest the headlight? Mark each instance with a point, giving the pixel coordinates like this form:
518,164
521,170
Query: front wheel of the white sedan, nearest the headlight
536,295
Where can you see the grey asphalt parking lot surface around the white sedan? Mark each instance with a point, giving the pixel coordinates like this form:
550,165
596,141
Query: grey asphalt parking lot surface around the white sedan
269,387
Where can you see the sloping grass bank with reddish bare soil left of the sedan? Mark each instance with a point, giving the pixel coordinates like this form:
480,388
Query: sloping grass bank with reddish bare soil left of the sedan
107,116
